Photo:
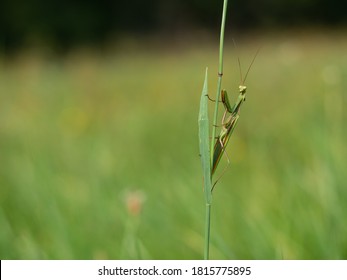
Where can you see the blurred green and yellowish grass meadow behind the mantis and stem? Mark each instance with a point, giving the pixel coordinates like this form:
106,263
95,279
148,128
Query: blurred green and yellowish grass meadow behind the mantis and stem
82,134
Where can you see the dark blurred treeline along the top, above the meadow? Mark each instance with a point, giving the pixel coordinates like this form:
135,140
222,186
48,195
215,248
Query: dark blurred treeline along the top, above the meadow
70,22
